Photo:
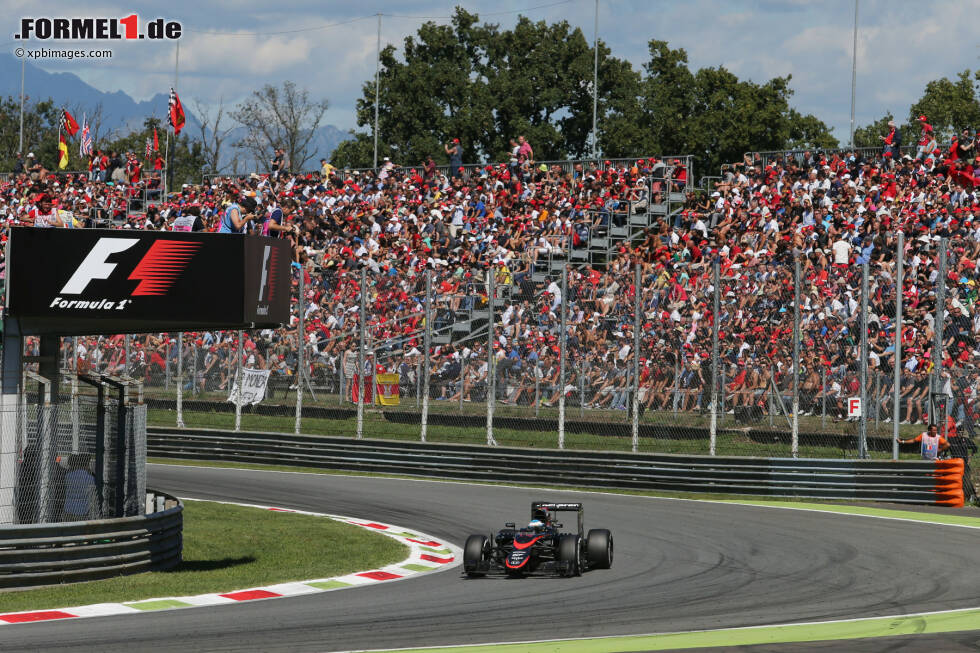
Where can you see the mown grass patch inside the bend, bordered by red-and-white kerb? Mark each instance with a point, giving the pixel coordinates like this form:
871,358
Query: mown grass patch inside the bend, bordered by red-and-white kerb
229,548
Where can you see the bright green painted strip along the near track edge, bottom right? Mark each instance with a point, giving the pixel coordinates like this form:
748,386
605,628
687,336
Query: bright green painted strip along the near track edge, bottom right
943,622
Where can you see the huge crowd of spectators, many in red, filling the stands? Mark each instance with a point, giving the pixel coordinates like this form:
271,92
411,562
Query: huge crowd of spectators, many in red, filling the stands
830,211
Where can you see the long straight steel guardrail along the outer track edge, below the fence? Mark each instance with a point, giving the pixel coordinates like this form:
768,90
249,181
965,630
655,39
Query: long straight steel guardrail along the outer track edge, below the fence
866,480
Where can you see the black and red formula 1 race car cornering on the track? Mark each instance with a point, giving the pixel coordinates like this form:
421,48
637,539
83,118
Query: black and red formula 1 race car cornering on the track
540,547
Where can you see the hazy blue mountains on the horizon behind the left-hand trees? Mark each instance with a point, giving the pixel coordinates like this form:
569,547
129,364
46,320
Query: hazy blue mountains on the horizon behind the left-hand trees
122,113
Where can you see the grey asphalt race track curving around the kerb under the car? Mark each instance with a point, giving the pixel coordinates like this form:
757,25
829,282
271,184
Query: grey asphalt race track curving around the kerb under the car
679,565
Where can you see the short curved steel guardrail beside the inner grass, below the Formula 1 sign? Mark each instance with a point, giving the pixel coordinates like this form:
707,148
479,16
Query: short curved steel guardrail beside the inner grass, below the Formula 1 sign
66,552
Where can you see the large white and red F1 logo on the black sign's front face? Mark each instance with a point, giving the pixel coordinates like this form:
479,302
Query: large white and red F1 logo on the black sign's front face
156,271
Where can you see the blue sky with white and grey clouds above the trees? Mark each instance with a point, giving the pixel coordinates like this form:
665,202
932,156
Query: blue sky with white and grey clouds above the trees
229,46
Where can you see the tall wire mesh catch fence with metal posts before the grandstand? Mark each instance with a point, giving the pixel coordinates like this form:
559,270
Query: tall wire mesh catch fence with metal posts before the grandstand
766,355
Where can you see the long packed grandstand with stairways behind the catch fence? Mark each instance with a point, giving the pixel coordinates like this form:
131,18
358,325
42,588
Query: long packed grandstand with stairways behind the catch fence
597,222
